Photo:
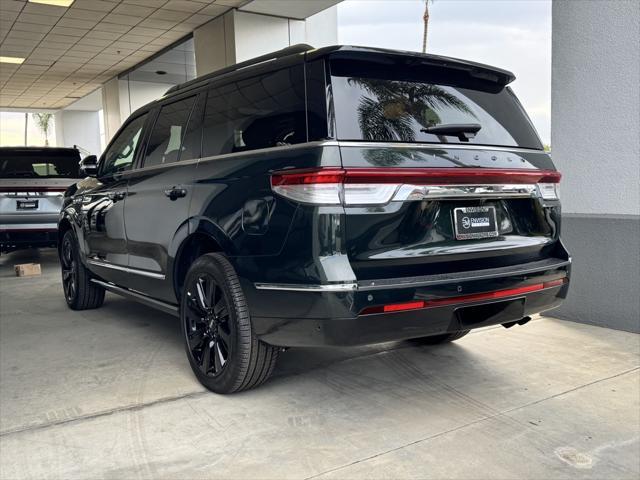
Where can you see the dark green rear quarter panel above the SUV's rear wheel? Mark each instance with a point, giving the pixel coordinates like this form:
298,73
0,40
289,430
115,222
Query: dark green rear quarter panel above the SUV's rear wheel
233,201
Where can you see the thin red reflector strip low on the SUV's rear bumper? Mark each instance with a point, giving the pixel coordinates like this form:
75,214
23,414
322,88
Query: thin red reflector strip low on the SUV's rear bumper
441,302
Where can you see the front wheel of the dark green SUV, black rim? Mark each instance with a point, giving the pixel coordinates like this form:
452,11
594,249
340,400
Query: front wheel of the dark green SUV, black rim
79,292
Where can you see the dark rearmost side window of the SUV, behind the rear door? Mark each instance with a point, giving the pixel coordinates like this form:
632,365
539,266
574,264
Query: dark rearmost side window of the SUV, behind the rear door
259,112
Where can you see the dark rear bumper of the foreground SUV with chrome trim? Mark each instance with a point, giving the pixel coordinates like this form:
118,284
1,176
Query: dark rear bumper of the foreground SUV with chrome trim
316,317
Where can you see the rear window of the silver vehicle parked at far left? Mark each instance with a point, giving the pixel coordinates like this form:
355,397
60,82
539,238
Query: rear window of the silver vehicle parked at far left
16,163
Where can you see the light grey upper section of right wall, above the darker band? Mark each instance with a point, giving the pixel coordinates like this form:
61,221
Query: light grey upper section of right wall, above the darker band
595,114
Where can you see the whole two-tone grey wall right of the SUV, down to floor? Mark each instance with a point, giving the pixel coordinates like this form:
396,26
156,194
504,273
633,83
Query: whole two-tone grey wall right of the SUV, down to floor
594,140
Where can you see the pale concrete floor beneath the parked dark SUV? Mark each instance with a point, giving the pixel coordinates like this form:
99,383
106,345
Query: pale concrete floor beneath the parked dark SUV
109,394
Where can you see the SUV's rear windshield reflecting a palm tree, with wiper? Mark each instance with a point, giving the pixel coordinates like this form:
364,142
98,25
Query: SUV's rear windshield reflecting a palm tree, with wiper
398,110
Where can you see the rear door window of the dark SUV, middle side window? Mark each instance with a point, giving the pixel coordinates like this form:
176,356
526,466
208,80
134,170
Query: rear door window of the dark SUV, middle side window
166,137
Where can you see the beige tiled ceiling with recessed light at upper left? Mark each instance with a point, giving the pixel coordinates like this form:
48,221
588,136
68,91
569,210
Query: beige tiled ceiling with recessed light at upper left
70,52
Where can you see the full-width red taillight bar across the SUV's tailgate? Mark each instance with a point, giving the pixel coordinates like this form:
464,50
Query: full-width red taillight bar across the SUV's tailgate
417,176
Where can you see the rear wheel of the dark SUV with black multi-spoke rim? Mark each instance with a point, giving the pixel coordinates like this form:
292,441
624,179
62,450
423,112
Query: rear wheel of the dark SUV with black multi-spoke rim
224,353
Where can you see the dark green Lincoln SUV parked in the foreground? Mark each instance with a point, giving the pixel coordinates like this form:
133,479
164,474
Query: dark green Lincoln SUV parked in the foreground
339,196
